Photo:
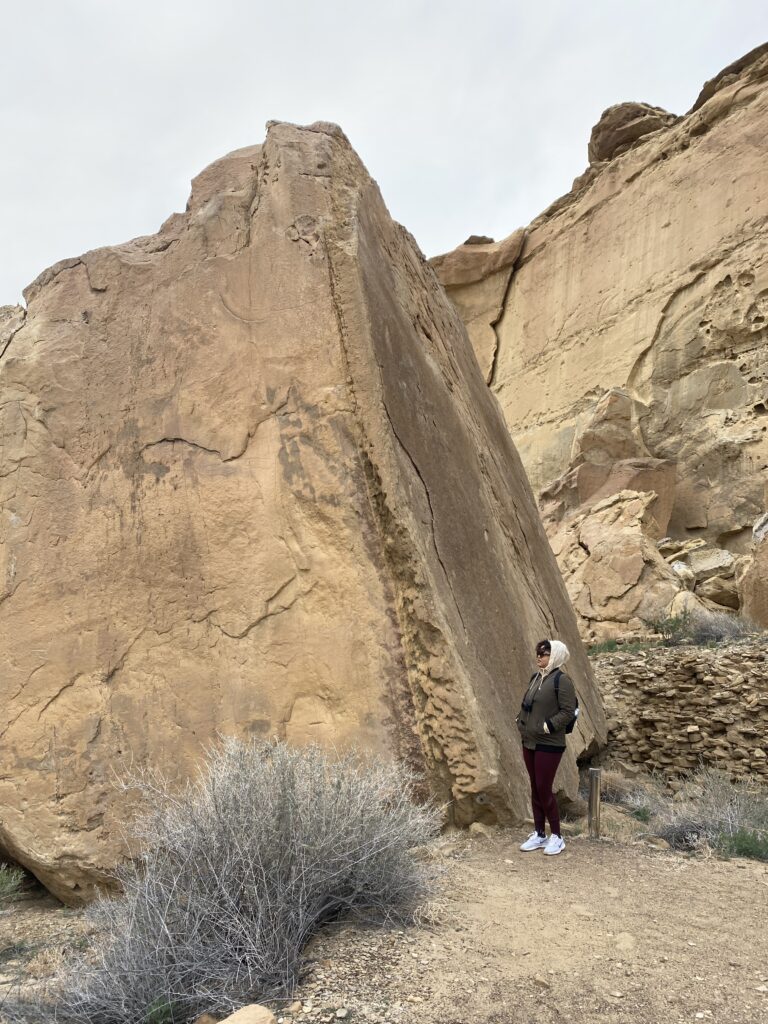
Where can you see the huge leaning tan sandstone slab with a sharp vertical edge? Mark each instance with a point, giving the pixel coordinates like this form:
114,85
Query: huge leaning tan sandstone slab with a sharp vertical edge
253,483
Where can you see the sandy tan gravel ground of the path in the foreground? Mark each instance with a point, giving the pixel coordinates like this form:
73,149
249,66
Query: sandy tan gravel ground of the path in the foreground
605,932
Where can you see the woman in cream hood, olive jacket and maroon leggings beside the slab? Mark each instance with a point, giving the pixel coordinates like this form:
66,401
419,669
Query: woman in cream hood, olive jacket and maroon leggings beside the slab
550,704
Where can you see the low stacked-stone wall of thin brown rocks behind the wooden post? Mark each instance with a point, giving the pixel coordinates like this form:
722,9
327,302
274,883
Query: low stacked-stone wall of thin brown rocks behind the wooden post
673,709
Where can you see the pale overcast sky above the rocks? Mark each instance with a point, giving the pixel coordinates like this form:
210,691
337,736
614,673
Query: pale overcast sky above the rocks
473,116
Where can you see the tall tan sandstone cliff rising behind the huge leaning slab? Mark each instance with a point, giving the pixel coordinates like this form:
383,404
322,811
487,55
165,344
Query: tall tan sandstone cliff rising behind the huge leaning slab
632,339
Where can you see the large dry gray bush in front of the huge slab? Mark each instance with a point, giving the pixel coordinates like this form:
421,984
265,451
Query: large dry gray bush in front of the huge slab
235,875
